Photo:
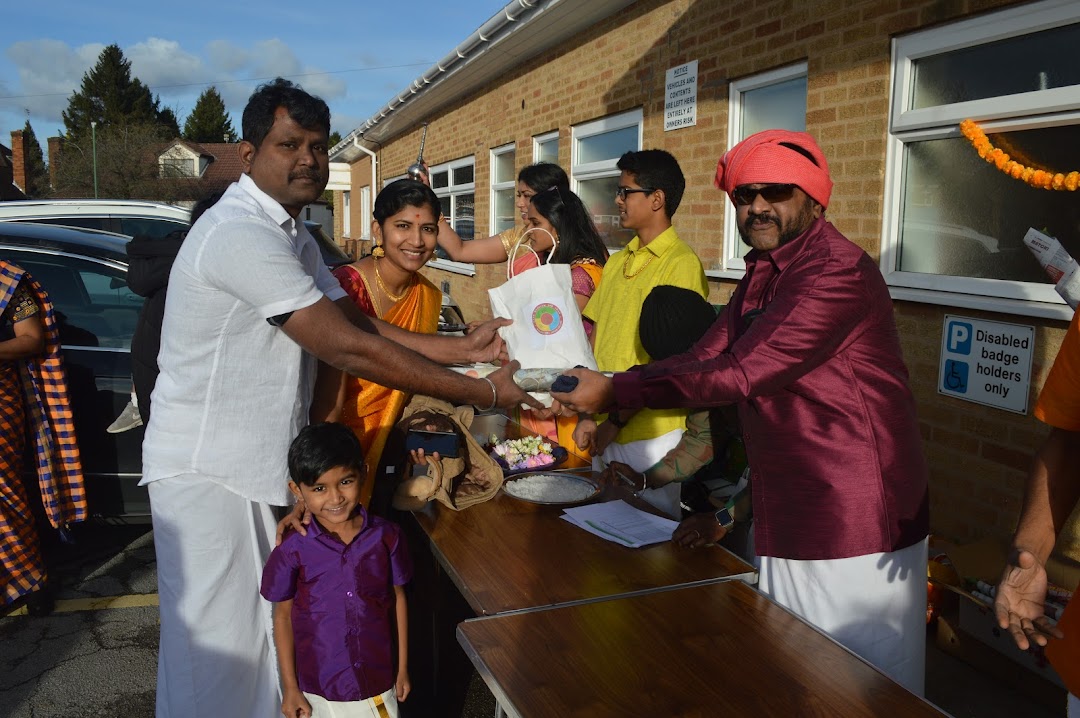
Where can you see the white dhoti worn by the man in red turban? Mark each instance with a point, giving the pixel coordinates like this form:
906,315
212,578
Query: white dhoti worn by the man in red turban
874,605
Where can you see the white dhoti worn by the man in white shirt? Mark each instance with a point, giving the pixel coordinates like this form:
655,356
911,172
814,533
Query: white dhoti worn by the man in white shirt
217,655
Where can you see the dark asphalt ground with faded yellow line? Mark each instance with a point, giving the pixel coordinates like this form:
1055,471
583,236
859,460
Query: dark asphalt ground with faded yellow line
97,654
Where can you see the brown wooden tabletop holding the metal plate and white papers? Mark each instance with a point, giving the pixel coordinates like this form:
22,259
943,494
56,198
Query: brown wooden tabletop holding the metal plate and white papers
508,554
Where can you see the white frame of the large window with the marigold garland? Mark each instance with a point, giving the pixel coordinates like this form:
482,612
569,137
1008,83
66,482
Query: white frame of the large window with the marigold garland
1022,112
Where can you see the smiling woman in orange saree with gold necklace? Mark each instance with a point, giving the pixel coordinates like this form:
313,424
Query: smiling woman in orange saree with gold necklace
387,285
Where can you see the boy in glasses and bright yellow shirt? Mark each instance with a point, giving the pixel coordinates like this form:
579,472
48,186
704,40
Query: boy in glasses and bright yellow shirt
651,189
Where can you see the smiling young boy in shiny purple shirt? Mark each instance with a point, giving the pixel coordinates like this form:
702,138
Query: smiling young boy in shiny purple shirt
339,592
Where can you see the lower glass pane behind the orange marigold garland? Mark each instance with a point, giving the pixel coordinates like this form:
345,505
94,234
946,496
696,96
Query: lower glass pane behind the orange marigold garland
963,218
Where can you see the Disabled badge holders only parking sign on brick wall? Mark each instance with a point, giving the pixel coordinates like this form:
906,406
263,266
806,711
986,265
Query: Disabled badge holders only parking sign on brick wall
987,362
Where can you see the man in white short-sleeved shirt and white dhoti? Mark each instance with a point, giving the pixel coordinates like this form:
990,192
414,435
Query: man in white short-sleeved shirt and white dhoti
251,307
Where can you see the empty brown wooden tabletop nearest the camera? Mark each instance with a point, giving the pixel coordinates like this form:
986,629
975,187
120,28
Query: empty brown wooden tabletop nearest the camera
721,649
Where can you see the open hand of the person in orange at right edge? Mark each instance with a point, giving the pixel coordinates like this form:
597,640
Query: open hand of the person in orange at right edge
1020,601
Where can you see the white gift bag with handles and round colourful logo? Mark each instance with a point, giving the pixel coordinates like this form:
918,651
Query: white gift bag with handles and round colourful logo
547,332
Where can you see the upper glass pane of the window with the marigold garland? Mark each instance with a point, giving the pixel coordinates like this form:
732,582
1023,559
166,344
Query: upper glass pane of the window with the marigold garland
1027,63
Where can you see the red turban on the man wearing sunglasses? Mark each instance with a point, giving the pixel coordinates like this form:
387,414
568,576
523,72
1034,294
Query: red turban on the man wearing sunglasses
768,158
